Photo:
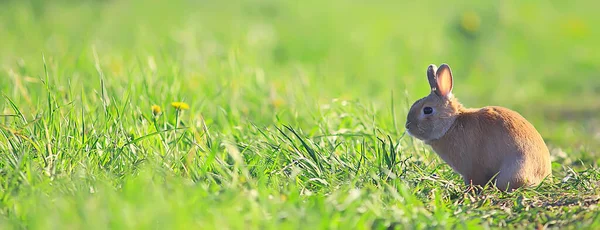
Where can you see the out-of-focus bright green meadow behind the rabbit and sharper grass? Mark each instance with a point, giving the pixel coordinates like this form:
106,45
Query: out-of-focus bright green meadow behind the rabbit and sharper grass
537,57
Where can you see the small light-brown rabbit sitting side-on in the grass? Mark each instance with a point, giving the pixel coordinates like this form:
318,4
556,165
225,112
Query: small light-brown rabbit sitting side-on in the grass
480,144
